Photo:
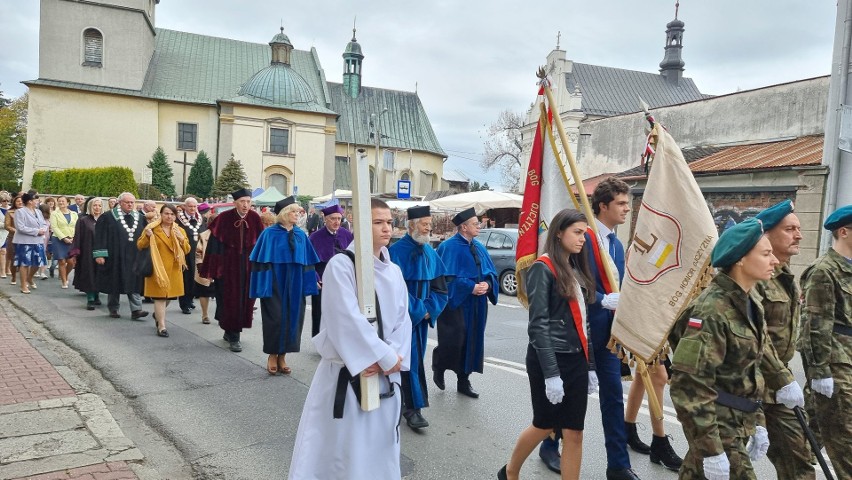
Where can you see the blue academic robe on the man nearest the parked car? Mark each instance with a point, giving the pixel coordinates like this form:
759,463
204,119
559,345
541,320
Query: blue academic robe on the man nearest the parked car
461,326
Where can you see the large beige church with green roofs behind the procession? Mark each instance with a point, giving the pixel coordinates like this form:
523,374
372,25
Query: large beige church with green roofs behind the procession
112,88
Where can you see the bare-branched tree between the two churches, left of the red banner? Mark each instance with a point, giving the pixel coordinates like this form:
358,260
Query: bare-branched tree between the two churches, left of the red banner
502,148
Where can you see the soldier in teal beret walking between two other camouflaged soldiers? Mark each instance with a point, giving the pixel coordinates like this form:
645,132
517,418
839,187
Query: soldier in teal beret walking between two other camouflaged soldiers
788,447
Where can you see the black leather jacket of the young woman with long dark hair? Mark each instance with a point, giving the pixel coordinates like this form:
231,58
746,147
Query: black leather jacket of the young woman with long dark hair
551,328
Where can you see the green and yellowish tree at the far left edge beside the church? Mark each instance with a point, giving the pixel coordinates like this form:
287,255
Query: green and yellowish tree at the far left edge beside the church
13,141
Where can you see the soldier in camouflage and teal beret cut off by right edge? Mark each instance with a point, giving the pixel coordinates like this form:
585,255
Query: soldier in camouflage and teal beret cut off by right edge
826,343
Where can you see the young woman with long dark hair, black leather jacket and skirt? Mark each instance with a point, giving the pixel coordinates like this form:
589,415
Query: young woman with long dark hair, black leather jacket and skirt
559,284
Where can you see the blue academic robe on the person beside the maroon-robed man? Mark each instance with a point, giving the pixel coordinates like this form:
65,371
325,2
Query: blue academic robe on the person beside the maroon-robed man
282,274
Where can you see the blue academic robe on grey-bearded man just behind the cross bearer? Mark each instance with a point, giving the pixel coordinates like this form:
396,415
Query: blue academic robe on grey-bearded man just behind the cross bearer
423,271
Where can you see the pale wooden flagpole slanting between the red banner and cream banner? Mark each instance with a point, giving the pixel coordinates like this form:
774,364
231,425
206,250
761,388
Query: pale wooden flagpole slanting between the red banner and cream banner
641,368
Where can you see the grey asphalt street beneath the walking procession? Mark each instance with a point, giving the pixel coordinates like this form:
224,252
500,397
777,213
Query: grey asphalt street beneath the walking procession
230,420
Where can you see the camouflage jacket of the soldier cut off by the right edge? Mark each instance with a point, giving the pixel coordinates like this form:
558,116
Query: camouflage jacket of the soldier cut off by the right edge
827,287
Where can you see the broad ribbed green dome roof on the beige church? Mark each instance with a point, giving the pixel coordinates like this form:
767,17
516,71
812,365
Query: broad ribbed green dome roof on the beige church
281,85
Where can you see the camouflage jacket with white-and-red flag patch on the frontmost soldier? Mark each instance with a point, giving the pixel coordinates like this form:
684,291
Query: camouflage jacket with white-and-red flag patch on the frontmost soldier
716,347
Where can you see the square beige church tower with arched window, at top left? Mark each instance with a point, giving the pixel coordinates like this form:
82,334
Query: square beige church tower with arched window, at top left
106,43
